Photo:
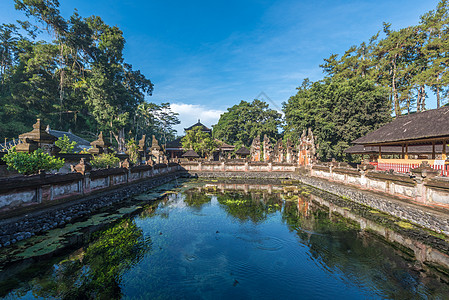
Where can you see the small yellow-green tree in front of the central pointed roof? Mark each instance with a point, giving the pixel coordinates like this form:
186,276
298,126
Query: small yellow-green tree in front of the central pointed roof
201,142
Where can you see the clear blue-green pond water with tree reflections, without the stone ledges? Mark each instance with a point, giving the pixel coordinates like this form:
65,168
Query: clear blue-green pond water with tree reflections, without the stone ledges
192,245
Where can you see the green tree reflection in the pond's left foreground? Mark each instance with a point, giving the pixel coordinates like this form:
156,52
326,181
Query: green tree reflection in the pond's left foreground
96,272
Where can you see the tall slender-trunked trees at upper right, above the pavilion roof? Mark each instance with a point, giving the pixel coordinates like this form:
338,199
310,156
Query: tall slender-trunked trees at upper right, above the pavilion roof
404,61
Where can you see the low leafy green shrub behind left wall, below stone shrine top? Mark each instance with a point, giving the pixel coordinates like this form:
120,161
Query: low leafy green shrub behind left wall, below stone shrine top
31,163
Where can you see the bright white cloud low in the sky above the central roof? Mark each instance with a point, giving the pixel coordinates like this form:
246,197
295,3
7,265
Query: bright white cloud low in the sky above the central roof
190,113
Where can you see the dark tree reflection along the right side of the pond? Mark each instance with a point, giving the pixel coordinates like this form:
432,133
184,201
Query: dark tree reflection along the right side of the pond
340,246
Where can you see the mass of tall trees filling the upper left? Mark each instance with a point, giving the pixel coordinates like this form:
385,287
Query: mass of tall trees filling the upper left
79,80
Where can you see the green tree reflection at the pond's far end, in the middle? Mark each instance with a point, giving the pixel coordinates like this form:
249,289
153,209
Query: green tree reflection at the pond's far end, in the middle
253,207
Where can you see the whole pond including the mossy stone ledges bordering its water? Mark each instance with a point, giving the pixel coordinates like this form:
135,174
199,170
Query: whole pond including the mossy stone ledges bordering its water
216,240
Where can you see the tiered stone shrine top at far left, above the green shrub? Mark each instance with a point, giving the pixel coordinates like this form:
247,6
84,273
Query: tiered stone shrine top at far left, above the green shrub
37,138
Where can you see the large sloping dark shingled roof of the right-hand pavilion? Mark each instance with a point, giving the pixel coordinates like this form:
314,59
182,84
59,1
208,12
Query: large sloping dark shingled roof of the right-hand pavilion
428,124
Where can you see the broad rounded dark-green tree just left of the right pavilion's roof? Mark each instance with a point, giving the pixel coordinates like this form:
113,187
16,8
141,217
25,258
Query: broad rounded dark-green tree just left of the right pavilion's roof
338,111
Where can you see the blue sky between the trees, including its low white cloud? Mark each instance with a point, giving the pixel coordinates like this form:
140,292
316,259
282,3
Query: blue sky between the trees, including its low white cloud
205,56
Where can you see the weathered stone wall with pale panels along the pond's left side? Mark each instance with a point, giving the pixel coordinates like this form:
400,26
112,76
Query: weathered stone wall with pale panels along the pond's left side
43,189
